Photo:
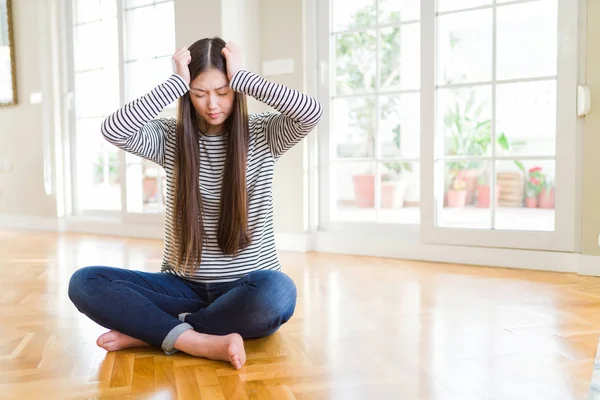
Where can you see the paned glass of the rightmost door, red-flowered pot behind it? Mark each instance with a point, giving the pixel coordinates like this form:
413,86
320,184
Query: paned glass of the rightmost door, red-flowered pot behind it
496,115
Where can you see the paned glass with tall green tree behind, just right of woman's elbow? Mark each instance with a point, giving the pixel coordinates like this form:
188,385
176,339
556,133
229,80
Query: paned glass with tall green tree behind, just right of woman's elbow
375,111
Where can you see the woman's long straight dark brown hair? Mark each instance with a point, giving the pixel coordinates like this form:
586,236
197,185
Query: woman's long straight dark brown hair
188,221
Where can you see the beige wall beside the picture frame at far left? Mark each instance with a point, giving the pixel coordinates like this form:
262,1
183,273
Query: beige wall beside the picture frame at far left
21,126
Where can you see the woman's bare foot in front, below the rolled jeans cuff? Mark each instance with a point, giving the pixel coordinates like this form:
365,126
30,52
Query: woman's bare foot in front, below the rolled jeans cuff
223,348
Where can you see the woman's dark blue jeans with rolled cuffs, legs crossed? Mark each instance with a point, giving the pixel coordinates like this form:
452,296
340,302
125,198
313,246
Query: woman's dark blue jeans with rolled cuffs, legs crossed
157,307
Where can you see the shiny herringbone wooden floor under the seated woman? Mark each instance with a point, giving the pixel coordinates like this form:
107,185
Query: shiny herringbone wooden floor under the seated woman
365,328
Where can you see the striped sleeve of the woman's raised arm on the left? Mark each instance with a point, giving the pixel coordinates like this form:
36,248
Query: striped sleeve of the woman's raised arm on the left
134,129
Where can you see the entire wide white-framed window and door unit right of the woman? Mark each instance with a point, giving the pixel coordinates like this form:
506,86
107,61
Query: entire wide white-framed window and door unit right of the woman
459,116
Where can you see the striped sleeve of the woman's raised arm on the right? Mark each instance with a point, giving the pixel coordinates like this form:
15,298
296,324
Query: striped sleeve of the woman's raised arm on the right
298,113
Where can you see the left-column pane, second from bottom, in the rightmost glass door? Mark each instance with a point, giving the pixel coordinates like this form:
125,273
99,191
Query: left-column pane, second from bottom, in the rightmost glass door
464,117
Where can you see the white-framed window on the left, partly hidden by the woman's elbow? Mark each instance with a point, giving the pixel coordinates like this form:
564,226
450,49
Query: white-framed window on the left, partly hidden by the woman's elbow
132,46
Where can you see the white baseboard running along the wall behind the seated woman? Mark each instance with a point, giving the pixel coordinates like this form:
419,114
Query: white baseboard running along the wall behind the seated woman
342,243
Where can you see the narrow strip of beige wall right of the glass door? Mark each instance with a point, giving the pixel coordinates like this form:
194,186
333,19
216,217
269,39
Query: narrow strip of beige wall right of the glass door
591,137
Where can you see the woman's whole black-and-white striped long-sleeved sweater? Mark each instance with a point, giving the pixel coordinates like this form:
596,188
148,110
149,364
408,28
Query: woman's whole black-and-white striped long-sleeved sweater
136,129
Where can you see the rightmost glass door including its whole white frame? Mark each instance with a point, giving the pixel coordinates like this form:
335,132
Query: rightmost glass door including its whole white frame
499,80
